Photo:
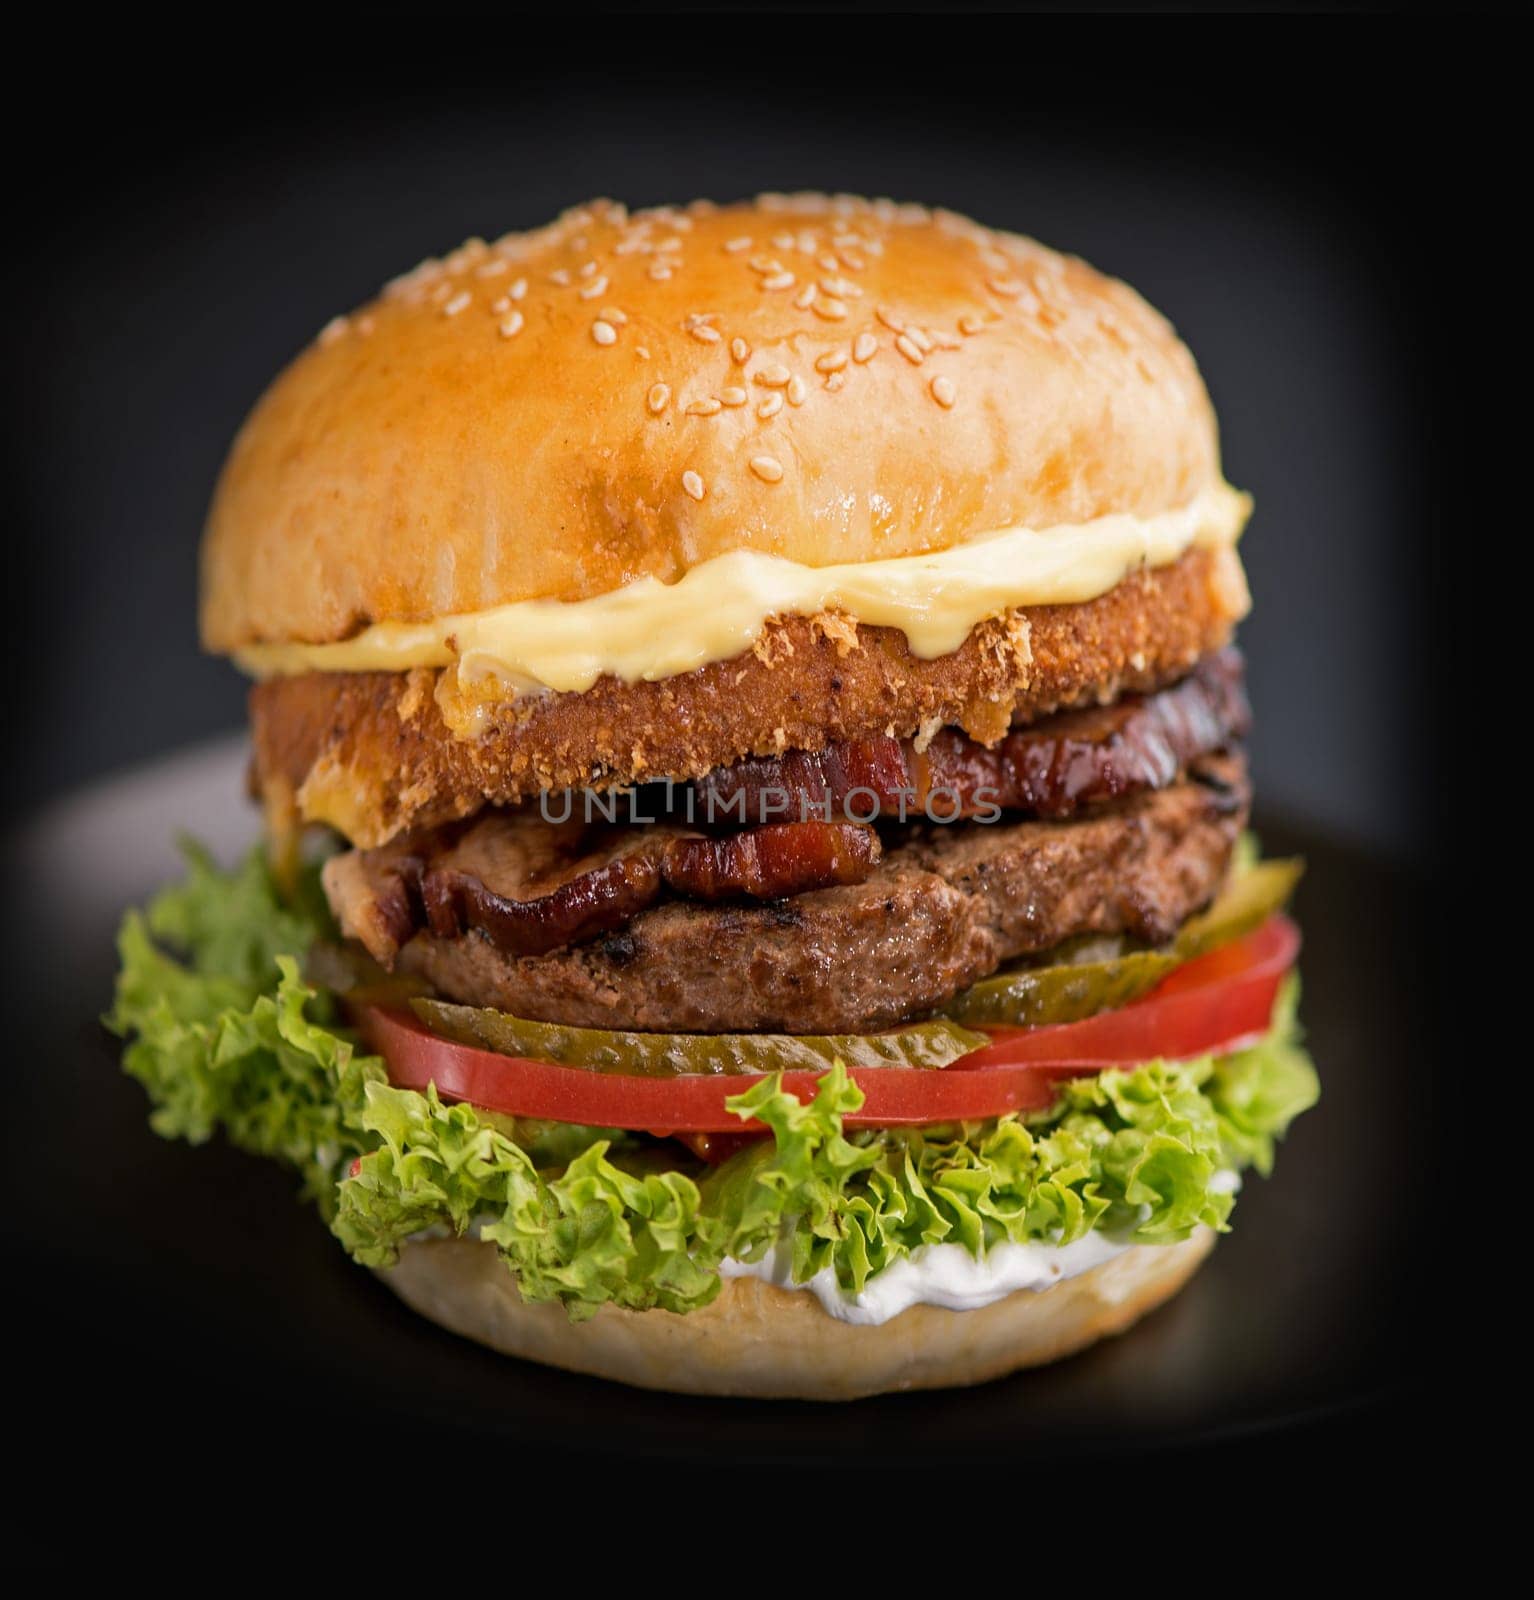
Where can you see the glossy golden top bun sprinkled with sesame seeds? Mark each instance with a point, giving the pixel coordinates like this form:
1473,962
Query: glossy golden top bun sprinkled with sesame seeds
612,398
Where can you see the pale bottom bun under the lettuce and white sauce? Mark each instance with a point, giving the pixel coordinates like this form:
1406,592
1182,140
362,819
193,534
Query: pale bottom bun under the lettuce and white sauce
780,1345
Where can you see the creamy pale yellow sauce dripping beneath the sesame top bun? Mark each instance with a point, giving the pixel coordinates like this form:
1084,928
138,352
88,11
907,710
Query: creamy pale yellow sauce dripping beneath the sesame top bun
721,609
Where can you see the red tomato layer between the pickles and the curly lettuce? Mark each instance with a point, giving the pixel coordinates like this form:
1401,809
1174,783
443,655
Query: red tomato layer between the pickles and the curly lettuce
1213,1006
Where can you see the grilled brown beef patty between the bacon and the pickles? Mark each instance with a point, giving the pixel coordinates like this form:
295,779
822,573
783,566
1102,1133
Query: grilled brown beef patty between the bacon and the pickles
943,908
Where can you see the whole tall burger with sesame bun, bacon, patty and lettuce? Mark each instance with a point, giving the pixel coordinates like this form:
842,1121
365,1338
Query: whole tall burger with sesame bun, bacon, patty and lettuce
756,894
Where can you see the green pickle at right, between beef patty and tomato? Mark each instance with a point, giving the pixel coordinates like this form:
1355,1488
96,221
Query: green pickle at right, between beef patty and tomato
1071,990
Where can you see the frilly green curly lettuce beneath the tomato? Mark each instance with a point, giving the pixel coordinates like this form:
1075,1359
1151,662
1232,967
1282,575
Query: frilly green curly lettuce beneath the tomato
228,1036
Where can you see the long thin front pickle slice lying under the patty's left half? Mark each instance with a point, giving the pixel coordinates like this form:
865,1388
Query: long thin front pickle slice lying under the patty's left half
684,1055
